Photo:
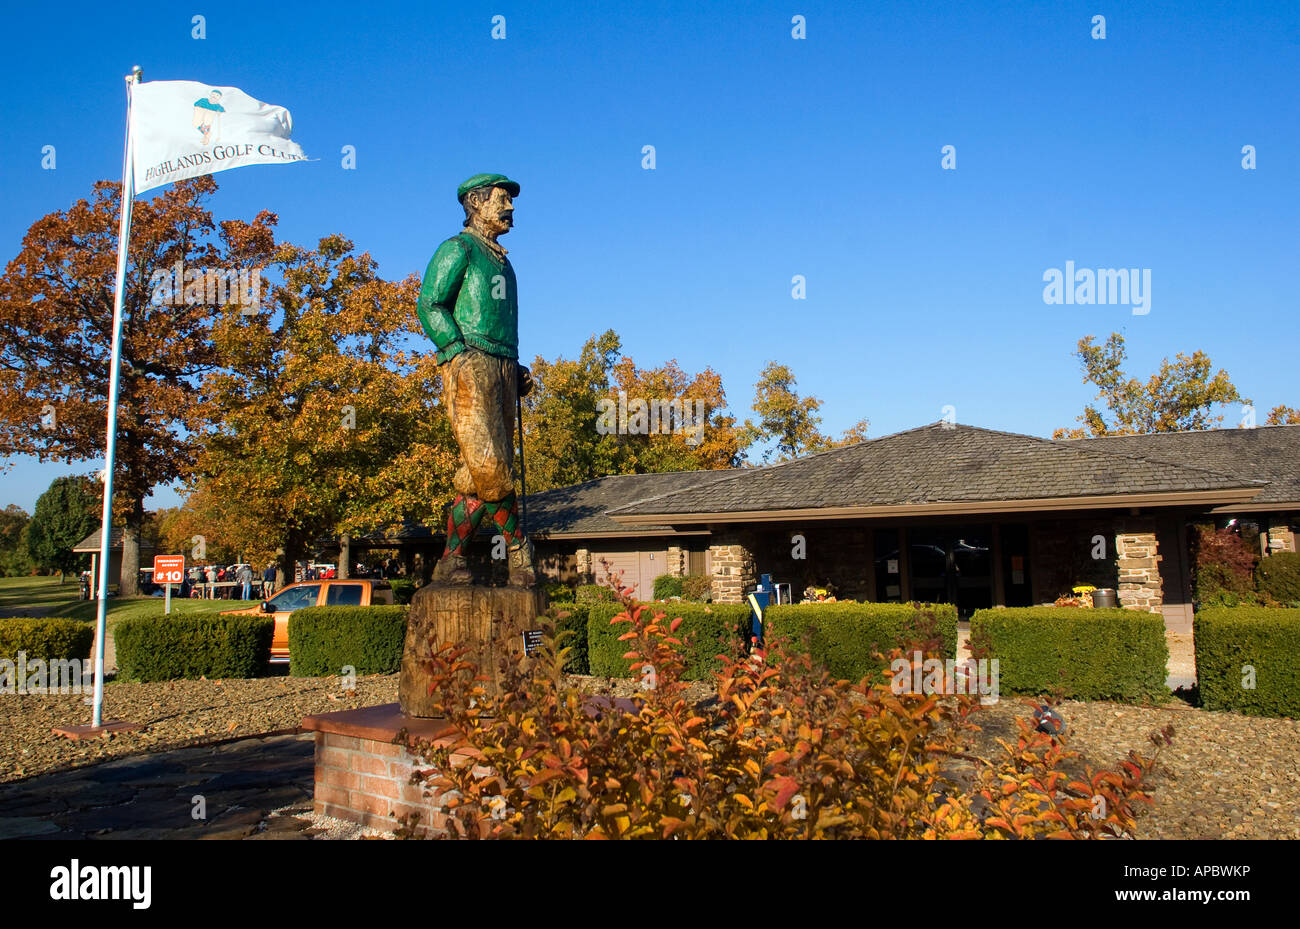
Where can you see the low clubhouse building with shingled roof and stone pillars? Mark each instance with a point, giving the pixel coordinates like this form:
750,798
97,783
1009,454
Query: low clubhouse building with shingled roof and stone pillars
943,514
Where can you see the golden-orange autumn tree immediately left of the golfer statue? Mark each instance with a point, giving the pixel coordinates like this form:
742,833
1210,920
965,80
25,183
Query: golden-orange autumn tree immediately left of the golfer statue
322,420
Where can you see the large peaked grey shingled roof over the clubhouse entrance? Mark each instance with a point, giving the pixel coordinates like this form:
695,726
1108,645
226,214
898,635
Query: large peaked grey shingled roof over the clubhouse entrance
941,467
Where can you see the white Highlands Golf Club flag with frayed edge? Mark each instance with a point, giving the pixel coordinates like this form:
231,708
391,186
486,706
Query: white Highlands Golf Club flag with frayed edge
183,129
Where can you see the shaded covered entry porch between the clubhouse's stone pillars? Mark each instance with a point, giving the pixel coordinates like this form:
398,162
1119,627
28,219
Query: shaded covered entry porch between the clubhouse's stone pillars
976,563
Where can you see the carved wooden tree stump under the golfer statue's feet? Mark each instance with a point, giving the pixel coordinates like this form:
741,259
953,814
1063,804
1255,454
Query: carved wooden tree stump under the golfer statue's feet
491,622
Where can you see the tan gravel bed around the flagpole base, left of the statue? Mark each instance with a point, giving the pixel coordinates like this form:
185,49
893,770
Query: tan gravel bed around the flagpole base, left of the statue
177,714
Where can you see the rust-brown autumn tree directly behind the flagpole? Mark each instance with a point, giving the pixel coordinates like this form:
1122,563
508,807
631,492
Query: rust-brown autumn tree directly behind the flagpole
57,315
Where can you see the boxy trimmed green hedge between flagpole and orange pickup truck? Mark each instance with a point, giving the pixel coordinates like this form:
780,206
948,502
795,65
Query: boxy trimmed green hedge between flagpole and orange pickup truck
214,646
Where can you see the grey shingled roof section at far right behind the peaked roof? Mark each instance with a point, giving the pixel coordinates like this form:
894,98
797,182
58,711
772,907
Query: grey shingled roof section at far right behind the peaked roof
1266,454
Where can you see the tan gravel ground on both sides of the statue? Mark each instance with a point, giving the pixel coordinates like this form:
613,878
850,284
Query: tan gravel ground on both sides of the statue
1227,776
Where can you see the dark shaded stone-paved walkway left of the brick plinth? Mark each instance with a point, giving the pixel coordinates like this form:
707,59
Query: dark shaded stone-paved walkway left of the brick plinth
236,787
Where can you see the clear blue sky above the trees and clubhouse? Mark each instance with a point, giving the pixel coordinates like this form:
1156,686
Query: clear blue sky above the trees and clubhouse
774,158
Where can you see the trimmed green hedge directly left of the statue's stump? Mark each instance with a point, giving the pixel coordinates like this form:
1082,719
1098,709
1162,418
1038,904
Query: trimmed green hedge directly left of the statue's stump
326,640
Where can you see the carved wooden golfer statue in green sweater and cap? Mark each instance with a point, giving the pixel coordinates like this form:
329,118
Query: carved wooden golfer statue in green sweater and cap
470,309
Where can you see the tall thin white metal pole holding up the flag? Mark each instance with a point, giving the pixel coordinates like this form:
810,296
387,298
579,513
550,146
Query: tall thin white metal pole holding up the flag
124,233
